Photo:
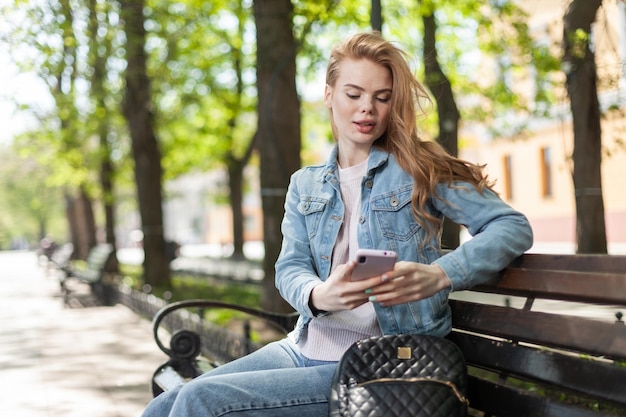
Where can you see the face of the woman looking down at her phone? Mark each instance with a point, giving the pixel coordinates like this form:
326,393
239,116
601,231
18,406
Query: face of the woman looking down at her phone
359,103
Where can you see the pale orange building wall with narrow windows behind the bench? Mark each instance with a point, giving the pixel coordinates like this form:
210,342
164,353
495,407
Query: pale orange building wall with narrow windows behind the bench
553,214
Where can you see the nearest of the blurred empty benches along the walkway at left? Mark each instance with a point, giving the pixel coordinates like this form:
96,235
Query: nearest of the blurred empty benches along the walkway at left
92,272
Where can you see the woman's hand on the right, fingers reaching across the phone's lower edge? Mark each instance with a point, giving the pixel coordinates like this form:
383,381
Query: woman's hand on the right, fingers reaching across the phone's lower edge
409,281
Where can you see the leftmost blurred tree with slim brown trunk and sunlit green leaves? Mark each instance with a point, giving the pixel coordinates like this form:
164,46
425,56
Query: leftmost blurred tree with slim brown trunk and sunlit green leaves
59,64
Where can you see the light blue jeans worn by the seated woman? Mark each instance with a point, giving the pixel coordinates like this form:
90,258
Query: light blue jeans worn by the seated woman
274,381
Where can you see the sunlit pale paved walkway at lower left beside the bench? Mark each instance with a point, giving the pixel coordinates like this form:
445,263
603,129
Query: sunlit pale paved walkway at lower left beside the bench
57,361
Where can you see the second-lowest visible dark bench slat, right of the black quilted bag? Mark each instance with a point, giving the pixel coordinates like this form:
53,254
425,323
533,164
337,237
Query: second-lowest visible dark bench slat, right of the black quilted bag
544,366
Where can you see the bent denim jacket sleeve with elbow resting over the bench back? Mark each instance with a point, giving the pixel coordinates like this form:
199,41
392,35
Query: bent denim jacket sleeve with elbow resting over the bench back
499,234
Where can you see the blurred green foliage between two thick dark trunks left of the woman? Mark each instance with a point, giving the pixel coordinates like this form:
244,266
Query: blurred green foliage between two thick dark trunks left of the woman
202,66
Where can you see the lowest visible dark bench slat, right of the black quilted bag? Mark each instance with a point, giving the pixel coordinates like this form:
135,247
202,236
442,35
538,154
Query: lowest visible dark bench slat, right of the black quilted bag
504,401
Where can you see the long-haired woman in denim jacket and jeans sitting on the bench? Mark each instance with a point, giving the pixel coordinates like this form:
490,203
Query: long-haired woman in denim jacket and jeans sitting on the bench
382,188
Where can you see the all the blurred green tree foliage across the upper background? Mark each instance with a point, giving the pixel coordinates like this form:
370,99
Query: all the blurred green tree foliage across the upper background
202,58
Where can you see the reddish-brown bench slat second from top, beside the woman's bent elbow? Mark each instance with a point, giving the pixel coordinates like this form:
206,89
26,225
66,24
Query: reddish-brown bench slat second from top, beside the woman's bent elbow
589,287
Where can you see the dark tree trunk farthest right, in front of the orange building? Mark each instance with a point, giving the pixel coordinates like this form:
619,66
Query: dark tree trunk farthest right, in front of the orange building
581,82
